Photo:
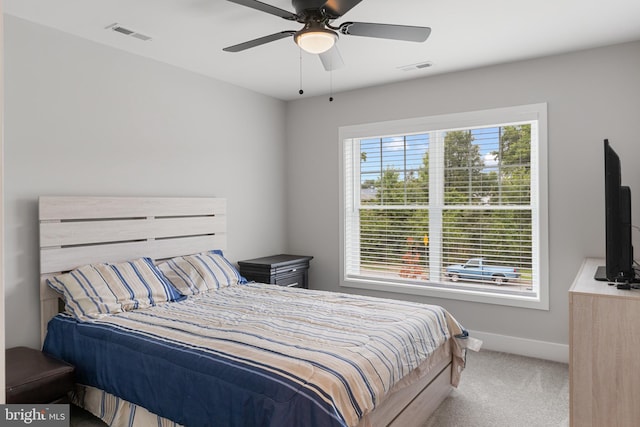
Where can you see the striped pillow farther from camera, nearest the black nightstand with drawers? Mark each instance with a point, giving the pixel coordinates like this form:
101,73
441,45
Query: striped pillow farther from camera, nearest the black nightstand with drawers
198,273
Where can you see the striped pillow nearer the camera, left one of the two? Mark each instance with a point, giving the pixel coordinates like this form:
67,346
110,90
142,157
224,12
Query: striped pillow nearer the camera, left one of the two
99,289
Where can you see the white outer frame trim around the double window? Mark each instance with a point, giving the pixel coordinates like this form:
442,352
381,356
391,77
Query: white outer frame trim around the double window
539,194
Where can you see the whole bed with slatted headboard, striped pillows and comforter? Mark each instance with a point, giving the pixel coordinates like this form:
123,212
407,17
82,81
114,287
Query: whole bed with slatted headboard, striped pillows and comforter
234,353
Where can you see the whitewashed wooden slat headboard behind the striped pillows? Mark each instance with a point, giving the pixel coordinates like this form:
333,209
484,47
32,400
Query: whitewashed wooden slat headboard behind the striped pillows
76,231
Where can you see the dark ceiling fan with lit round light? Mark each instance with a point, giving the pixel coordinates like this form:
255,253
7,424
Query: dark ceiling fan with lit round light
318,36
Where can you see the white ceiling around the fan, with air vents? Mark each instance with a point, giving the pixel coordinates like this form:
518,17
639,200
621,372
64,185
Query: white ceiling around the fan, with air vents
465,34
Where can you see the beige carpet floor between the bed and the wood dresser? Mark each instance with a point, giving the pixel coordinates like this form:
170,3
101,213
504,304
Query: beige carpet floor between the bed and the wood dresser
505,390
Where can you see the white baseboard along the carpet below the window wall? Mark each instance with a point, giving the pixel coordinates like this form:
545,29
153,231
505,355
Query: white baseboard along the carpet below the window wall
523,346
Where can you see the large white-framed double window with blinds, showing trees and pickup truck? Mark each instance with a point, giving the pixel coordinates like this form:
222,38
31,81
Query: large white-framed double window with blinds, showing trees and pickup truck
451,206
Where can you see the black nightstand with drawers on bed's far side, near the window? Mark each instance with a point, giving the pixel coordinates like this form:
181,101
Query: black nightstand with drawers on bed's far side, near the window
282,270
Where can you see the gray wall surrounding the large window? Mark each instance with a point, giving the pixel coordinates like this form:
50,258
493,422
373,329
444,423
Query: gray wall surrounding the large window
591,95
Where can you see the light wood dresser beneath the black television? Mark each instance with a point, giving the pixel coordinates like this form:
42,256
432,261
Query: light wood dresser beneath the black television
604,352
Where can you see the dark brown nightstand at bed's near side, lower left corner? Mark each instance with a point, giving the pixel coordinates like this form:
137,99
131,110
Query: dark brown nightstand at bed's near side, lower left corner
34,377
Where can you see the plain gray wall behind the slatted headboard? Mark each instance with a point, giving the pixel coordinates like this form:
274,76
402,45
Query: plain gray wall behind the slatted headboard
86,119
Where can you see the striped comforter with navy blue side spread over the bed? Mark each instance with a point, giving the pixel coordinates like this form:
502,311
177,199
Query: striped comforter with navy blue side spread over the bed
255,354
